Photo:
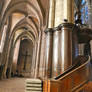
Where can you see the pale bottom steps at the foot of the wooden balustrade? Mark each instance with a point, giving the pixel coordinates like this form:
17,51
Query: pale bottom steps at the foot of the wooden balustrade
33,85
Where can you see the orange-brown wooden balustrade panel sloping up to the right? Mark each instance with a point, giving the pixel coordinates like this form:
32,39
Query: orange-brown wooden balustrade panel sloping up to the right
70,82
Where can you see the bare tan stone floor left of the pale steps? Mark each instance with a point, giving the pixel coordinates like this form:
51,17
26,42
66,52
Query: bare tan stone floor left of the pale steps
12,85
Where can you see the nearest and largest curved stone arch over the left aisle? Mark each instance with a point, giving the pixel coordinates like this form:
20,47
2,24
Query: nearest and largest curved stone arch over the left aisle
16,8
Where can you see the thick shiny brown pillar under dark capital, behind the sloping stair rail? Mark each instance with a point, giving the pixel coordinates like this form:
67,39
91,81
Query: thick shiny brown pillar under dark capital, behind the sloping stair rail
62,49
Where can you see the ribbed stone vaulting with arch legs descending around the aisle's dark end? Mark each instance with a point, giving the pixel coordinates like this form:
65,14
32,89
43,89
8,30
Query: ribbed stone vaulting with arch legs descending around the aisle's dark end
32,23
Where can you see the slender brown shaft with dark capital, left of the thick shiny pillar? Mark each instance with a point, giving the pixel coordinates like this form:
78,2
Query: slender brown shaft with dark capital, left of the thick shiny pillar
48,53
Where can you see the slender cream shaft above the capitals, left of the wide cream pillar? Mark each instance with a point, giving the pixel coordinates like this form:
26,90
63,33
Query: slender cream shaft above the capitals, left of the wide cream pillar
51,14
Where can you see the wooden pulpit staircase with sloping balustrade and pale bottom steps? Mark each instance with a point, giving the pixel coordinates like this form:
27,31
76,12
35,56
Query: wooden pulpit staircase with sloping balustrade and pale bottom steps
72,80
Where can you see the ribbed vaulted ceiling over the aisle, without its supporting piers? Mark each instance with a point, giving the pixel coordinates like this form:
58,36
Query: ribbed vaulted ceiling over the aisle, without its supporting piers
31,15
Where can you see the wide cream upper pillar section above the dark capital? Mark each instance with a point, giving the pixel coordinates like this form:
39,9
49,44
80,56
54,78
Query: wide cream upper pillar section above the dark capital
63,10
